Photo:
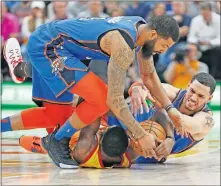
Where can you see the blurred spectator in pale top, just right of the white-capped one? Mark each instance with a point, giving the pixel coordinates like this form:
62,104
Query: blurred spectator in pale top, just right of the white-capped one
60,10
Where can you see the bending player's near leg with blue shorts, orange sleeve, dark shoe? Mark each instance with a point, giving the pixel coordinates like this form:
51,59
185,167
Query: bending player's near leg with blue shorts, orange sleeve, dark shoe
63,72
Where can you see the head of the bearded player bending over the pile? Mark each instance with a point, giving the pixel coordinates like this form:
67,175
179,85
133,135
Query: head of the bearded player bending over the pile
162,33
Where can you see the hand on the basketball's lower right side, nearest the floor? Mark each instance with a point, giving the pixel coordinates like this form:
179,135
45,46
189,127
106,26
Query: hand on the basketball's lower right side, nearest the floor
165,148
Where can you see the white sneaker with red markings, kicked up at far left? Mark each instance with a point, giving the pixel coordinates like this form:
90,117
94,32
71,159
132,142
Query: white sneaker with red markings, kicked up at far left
12,54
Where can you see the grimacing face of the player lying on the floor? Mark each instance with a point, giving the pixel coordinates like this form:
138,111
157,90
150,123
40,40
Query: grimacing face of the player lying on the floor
197,95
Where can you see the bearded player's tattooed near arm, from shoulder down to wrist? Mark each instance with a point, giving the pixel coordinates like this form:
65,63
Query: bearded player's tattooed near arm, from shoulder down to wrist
121,58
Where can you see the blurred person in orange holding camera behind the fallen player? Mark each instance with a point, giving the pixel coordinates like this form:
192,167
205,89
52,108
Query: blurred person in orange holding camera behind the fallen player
184,66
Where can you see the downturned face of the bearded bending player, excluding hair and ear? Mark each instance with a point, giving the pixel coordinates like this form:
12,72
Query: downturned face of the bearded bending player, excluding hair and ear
161,45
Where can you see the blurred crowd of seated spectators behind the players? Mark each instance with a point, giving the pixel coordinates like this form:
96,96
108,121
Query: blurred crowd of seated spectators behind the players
197,50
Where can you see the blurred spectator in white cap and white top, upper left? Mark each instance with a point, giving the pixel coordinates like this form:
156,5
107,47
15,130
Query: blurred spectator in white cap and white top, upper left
30,23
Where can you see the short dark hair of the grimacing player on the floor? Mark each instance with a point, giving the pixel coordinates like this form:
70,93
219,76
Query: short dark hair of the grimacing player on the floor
205,79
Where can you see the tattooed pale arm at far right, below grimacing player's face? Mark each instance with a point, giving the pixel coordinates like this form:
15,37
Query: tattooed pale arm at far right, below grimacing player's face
200,123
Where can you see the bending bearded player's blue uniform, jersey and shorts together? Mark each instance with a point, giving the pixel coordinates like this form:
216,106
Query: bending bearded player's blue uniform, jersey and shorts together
56,51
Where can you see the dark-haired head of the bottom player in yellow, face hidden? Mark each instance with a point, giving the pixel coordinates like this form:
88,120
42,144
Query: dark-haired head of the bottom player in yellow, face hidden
114,141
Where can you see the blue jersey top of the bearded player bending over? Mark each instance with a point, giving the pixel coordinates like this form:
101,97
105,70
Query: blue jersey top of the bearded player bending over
83,34
